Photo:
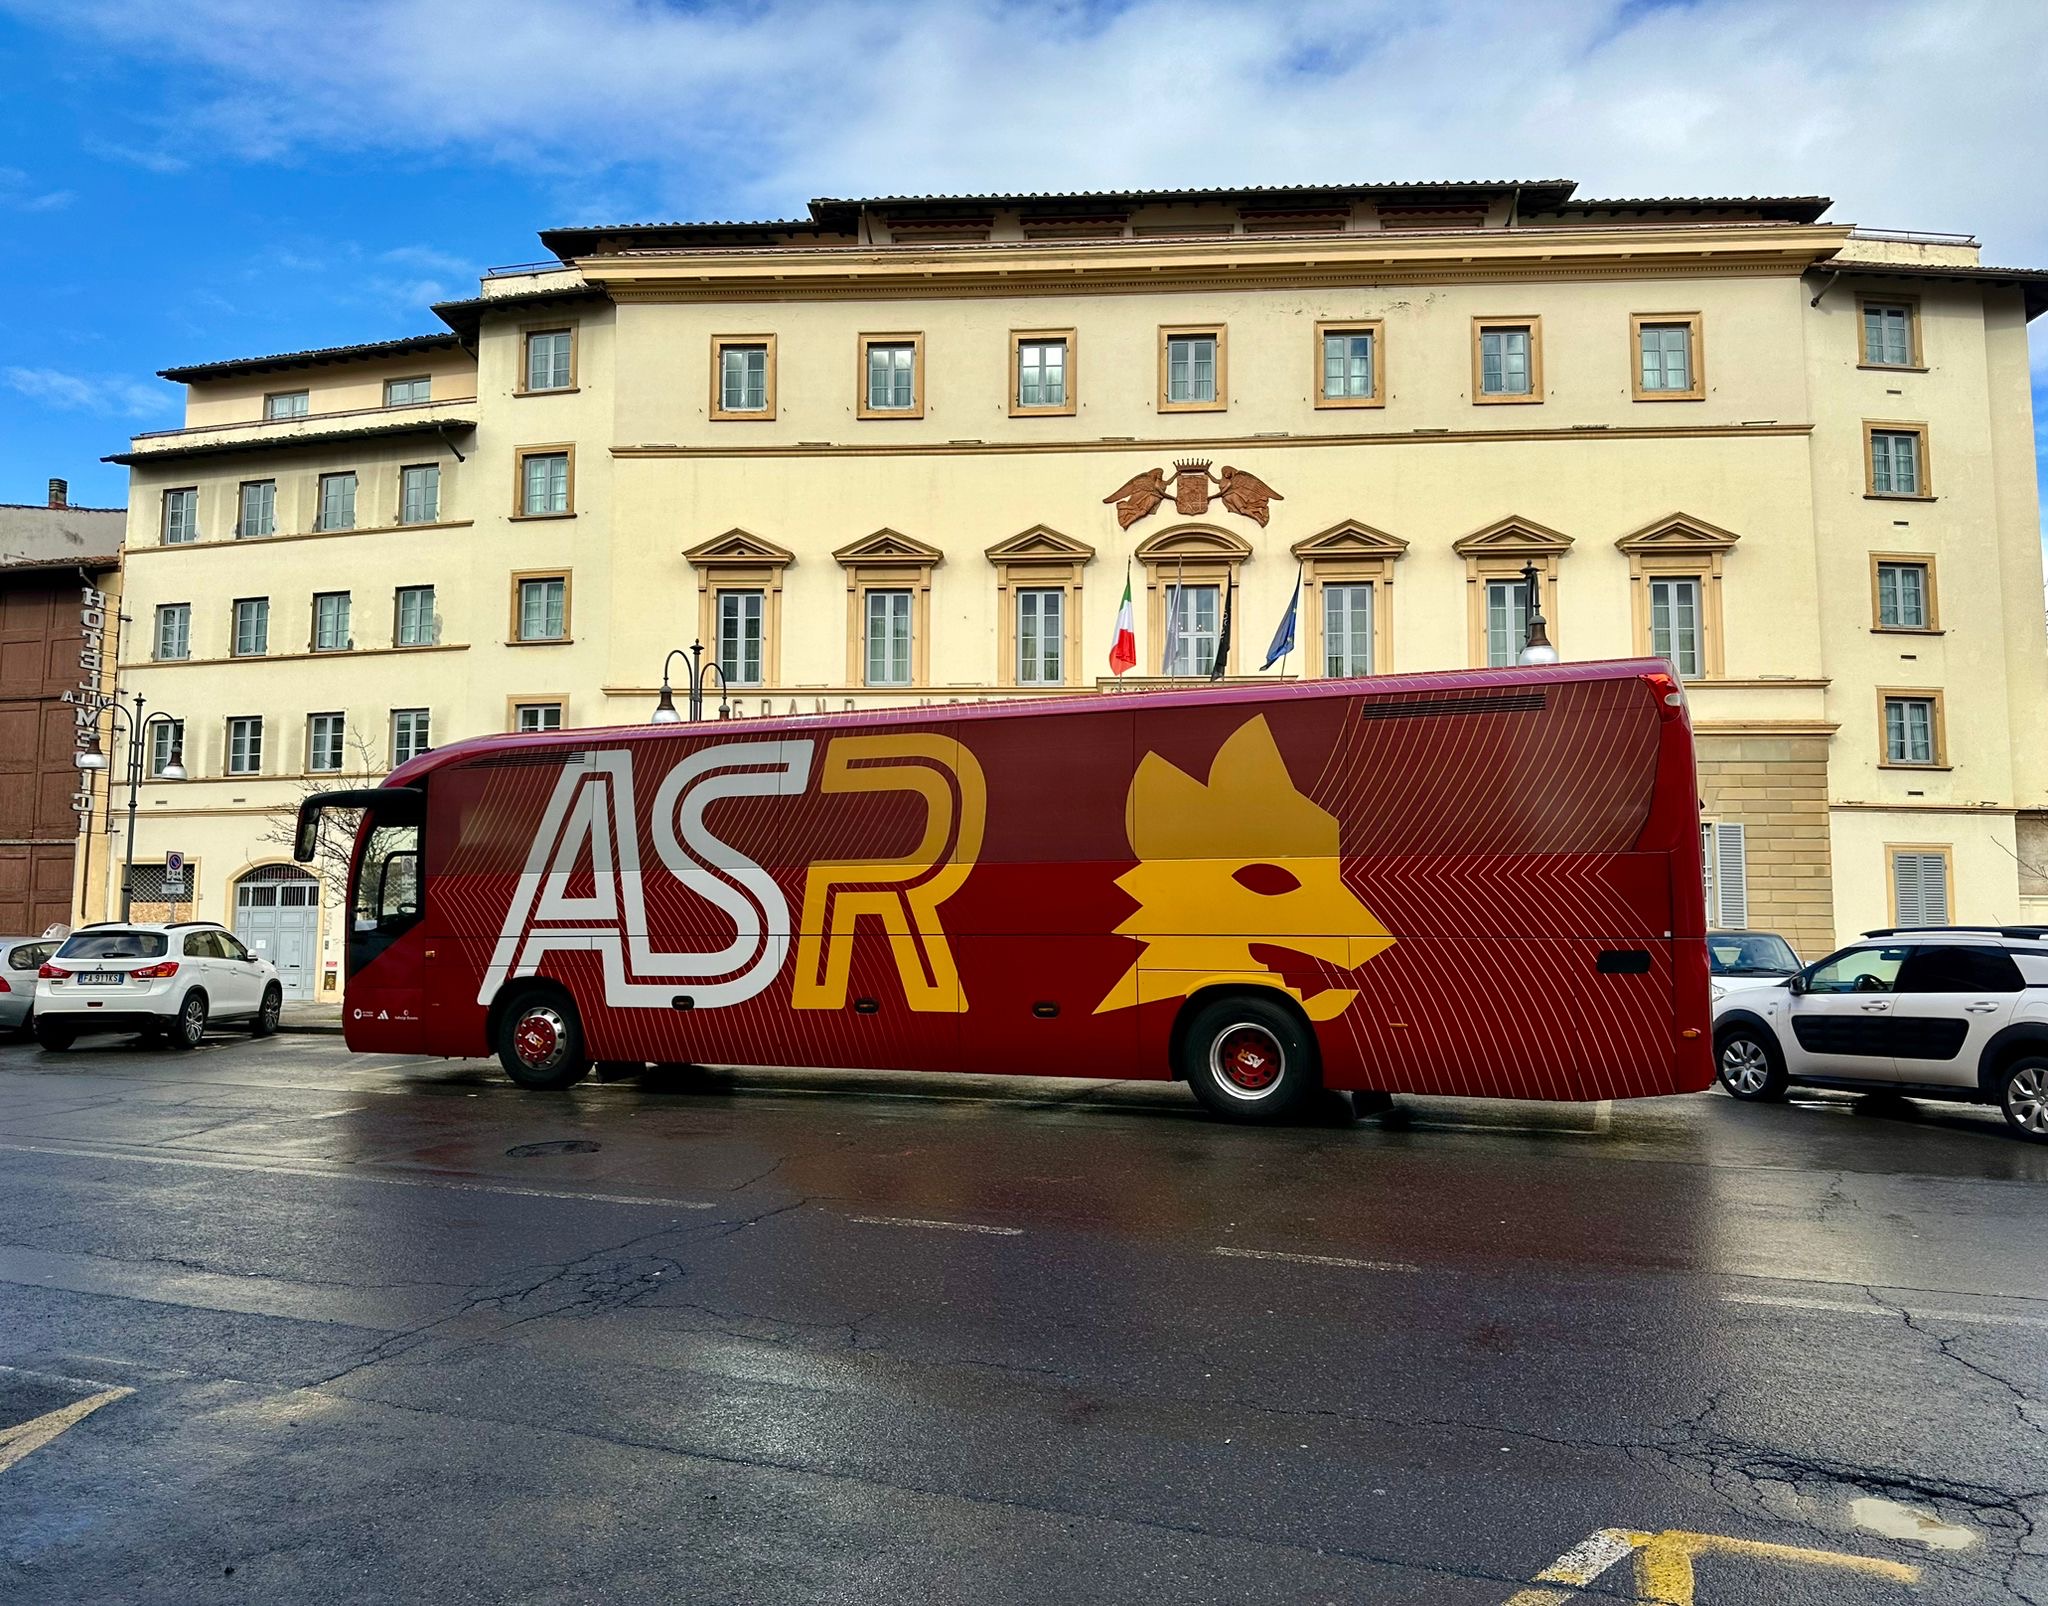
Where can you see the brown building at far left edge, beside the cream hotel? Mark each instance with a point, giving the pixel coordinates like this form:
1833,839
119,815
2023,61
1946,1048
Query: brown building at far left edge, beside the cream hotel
58,609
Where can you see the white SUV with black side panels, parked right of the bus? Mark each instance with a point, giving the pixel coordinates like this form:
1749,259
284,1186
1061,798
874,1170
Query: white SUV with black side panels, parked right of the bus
1943,1013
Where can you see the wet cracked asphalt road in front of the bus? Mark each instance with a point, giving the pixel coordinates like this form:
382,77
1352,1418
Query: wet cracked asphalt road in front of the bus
878,1339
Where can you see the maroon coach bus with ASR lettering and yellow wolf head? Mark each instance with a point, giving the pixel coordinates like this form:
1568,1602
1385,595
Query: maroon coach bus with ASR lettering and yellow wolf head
1478,884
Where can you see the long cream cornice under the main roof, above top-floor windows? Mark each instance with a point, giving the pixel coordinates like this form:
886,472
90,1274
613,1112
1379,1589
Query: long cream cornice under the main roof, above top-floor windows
1099,267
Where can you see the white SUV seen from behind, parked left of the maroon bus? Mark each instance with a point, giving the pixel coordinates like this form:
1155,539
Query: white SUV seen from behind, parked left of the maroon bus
165,982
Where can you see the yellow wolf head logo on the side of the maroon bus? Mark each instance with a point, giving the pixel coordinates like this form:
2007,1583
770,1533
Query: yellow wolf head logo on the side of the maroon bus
1240,861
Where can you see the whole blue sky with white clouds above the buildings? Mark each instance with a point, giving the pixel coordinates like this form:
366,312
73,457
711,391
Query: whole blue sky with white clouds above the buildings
230,177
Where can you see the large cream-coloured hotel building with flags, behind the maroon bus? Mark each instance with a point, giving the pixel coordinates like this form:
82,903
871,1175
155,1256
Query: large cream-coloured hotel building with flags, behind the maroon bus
869,458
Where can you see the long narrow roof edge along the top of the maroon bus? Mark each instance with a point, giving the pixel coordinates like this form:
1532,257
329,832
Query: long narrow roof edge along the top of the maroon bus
1025,708
